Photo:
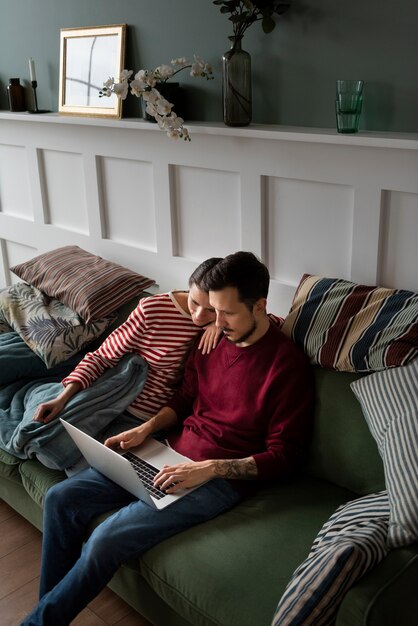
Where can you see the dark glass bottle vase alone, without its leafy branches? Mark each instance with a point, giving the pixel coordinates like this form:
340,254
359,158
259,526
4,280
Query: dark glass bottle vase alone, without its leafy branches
236,85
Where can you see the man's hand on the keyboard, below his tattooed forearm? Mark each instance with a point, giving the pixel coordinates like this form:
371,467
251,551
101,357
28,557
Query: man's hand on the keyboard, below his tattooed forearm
184,475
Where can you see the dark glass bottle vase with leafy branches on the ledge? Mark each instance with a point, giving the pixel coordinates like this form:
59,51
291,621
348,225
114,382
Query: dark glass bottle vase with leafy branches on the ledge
236,62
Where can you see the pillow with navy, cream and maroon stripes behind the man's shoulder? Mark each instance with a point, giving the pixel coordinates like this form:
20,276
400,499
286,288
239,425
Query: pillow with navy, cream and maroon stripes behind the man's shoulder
353,328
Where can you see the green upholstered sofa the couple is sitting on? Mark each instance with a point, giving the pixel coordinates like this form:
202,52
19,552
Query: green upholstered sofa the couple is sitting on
232,571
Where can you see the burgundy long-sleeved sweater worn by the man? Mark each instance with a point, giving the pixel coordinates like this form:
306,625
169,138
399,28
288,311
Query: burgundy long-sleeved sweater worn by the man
252,401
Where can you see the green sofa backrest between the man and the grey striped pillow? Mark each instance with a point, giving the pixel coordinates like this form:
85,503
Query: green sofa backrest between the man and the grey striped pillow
342,449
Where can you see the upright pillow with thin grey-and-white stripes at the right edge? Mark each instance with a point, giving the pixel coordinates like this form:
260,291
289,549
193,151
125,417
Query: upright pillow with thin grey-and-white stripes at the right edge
390,405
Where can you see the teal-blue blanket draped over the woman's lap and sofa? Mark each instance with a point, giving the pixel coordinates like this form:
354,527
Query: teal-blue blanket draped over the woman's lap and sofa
25,382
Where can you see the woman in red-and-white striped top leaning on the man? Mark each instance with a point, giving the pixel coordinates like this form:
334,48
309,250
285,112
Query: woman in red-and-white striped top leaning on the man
161,329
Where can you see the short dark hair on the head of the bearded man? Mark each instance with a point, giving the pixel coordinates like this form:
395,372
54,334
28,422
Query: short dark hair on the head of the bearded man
242,270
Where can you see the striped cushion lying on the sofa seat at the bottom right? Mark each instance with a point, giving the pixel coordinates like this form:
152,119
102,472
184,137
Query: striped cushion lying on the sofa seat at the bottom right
349,544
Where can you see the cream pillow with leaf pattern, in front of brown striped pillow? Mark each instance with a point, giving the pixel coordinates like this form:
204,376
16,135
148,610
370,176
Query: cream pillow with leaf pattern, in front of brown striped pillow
51,329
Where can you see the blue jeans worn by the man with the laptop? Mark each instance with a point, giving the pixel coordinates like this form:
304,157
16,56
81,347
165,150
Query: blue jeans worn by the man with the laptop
73,574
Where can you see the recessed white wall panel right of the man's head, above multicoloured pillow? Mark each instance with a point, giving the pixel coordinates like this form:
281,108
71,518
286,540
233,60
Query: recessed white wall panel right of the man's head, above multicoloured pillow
300,238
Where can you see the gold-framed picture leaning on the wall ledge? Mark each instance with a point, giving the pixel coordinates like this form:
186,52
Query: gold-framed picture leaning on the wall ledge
88,57
